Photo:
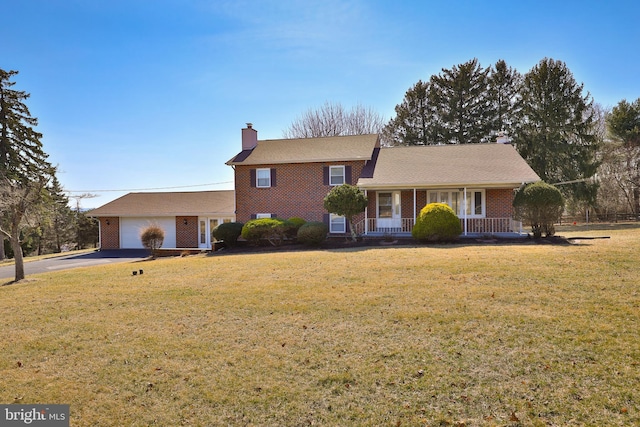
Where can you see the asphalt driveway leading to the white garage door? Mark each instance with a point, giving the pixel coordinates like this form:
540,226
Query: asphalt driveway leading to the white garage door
66,262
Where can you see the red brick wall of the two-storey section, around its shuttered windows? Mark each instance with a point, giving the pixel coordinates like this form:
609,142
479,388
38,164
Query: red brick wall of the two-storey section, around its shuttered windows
299,190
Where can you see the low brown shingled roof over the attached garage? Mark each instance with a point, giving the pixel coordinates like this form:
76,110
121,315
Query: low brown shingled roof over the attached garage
169,204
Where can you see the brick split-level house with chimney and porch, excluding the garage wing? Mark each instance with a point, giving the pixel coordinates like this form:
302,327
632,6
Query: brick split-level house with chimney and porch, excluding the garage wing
290,177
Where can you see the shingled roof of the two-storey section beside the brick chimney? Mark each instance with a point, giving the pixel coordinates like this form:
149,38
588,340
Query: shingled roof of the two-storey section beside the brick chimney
308,150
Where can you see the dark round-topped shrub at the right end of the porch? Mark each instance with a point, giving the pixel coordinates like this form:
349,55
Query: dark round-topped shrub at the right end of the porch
540,205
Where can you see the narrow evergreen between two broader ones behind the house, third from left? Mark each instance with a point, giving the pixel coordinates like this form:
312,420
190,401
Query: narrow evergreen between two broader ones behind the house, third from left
503,91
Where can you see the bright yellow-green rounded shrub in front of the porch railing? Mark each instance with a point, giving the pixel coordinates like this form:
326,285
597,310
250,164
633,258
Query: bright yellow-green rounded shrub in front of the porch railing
437,222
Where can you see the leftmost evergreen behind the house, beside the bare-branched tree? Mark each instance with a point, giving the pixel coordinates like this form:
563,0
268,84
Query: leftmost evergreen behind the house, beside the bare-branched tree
415,122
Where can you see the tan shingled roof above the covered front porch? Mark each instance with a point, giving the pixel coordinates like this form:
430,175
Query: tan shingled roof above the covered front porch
442,166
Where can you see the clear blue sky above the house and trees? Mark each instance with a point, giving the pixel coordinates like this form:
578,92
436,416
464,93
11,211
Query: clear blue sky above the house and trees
146,94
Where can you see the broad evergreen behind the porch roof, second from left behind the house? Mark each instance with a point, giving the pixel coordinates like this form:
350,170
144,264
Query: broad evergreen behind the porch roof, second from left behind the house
461,100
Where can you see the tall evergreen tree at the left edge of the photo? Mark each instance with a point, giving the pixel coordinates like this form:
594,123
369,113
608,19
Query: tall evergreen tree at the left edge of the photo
24,169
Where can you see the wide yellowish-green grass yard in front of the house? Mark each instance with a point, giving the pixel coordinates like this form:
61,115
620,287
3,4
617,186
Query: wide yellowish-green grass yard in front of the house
451,335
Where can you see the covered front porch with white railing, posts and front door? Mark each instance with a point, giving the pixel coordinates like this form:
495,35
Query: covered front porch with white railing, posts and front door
482,211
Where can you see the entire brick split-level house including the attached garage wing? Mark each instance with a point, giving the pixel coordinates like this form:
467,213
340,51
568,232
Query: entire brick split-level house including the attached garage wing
287,178
